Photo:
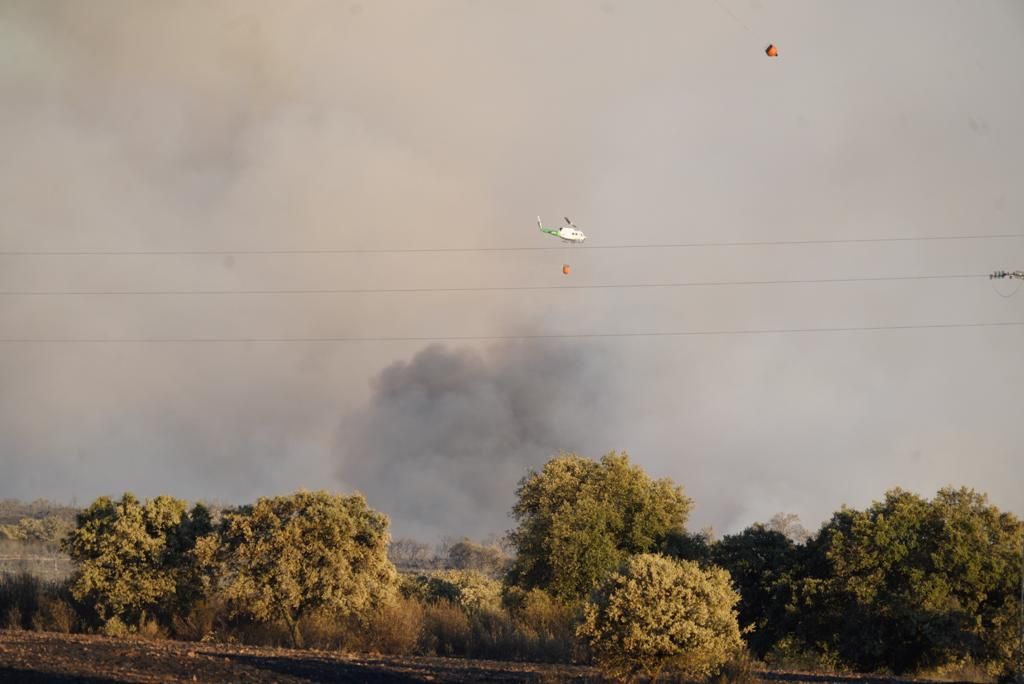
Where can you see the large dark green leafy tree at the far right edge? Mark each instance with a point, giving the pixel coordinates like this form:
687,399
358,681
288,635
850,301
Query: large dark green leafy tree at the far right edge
911,584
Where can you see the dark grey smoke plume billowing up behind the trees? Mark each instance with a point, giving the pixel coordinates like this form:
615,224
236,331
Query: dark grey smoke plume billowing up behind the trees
447,436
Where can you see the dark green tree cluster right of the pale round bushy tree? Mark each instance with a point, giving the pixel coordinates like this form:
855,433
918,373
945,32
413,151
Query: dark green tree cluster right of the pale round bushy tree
908,585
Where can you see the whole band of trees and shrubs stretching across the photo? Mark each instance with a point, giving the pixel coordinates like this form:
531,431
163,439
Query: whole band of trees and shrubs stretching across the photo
600,569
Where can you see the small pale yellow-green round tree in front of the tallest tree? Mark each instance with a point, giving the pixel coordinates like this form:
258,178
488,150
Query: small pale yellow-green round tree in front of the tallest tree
657,614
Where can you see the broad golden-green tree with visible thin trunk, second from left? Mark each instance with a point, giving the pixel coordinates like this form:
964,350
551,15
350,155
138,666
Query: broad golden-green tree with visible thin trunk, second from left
287,557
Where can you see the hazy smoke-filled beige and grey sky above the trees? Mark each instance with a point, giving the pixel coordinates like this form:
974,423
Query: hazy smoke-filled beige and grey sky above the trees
155,126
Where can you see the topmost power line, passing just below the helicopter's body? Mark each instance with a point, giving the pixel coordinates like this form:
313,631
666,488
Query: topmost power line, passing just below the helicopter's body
575,248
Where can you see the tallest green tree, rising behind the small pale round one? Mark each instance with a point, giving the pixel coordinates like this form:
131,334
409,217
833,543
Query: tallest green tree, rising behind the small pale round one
579,520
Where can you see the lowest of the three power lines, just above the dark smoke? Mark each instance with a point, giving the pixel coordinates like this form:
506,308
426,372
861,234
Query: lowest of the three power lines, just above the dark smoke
488,338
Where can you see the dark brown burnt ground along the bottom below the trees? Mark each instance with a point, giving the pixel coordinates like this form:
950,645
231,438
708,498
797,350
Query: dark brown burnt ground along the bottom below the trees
41,657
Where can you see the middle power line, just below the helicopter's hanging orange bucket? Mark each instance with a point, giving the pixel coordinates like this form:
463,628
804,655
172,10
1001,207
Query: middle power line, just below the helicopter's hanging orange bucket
528,288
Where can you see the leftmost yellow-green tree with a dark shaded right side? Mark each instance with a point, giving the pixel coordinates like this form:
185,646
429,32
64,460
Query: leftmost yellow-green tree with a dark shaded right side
137,560
